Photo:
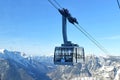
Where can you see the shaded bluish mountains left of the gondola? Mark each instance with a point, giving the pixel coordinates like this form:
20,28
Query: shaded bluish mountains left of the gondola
15,65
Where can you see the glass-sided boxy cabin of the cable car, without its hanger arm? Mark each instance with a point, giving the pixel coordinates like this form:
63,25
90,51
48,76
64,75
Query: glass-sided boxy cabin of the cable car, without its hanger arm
68,55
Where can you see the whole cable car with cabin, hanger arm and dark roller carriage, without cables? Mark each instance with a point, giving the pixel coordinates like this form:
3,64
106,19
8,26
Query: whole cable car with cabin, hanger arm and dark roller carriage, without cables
68,53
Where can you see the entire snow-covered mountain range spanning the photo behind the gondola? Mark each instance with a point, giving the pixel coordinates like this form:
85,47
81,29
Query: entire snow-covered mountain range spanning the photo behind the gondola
15,65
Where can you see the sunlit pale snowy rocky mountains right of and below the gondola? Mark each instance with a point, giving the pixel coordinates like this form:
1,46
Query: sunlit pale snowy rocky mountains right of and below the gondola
95,68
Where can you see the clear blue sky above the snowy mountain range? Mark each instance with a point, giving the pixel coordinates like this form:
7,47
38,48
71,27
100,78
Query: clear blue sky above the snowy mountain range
34,26
